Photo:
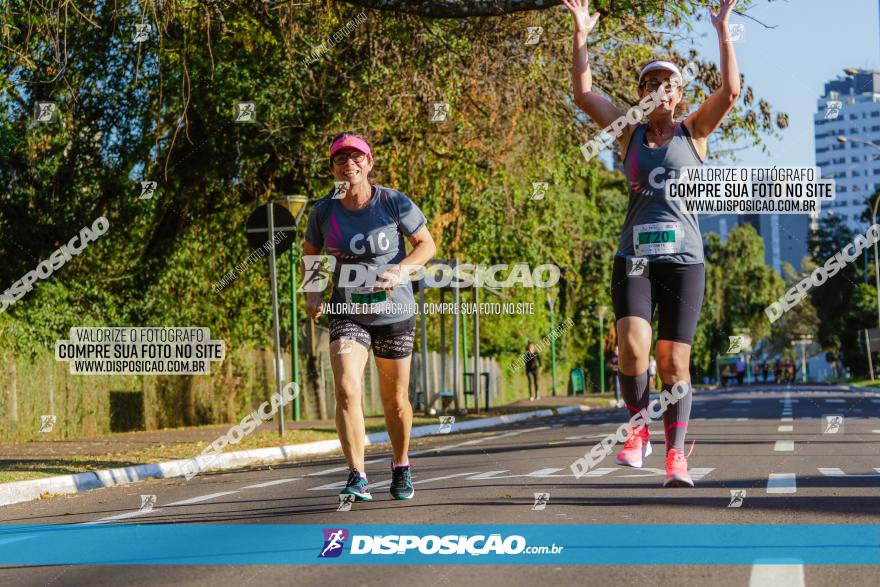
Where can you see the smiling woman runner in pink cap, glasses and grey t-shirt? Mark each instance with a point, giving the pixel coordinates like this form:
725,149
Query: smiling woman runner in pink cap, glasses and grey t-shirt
365,225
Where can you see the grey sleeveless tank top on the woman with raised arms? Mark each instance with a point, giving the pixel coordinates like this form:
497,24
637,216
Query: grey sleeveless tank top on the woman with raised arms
655,227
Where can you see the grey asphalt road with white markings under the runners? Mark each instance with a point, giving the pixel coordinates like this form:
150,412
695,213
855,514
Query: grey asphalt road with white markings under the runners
774,442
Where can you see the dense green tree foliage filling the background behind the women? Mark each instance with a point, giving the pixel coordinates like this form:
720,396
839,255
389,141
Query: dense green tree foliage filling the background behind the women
162,109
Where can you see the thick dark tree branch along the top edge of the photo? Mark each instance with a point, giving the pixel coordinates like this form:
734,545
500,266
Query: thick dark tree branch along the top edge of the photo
456,8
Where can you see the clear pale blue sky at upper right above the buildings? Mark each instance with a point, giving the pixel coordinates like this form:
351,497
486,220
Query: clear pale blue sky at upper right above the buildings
788,66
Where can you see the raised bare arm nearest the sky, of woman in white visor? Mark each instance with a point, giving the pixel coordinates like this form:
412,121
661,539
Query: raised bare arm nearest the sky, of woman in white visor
711,113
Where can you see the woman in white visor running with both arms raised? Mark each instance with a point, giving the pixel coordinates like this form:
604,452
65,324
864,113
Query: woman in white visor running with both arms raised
657,230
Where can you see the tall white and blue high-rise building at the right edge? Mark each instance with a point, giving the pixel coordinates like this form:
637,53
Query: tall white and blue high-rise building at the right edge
846,123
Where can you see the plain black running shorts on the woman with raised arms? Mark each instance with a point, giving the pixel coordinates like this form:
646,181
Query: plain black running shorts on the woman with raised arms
676,289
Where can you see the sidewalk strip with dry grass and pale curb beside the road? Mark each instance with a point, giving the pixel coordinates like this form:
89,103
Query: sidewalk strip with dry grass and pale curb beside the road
30,470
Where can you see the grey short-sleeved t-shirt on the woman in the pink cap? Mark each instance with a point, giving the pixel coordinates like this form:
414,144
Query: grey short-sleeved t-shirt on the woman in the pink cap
373,237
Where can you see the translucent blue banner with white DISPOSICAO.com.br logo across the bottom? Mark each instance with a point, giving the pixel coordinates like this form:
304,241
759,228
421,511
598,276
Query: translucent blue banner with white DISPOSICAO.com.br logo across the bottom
496,544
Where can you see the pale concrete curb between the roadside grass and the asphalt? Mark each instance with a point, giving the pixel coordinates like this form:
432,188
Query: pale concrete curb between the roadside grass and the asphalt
19,491
